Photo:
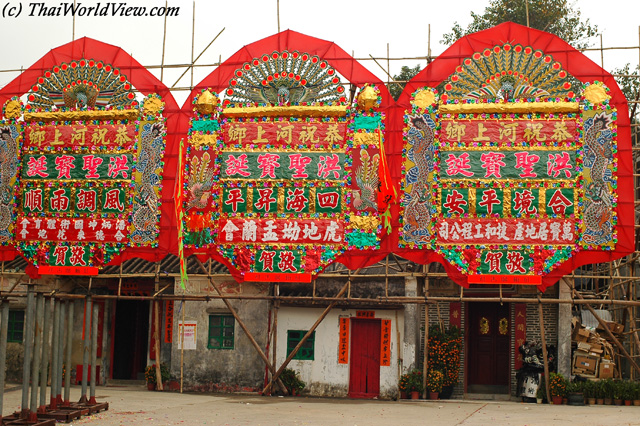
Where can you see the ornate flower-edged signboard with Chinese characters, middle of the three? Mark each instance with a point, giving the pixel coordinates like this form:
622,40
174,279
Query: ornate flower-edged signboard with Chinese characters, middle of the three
282,179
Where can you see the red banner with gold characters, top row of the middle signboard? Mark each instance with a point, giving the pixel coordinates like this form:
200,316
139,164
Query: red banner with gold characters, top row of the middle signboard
312,133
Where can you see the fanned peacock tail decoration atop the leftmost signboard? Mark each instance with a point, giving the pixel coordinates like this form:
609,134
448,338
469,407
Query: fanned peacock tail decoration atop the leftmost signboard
80,84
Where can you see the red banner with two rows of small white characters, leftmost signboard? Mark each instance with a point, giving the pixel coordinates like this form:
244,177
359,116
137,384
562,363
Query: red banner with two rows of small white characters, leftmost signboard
81,230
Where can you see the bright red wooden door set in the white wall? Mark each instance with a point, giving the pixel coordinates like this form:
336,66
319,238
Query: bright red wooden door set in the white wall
364,372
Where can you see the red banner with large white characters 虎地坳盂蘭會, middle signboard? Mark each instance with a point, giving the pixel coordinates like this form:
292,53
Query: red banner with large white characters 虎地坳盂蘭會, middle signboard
301,231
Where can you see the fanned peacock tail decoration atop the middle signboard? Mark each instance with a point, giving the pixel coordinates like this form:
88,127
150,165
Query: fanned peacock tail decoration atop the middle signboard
285,78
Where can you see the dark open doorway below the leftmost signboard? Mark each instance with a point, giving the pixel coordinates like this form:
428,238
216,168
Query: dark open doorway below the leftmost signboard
130,334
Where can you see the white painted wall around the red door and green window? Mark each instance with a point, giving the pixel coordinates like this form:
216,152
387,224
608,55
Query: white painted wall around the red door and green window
324,375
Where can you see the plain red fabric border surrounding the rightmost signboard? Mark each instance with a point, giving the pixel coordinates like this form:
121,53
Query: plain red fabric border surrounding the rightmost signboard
576,64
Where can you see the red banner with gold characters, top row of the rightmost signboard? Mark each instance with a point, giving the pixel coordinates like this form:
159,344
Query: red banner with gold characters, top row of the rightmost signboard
509,132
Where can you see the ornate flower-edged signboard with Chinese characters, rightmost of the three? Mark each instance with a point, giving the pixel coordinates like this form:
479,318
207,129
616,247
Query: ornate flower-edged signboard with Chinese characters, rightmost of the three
511,171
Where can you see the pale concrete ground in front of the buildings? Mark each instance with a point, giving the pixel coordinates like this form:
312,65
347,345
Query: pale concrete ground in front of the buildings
134,405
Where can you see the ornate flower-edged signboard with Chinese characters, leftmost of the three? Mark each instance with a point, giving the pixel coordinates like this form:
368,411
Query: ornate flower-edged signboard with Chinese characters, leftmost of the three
88,169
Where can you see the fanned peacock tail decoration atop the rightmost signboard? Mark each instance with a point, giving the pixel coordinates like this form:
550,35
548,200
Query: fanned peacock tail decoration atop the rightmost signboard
508,72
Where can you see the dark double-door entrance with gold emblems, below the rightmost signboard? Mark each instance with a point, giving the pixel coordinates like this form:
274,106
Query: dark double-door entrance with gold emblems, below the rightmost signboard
488,356
